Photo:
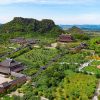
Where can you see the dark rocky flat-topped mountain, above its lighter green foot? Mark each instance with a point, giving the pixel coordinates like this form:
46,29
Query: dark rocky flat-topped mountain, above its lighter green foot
19,24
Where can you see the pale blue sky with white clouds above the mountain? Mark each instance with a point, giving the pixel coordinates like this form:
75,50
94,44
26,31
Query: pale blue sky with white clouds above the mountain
61,11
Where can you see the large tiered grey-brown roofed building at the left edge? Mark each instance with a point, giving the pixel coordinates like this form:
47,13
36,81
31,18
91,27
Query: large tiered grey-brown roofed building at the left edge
10,65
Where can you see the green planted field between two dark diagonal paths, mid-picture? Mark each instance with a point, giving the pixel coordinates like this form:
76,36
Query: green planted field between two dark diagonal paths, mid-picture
36,58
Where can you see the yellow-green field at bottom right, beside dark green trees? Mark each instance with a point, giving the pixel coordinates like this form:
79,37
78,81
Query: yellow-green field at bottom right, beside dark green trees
76,87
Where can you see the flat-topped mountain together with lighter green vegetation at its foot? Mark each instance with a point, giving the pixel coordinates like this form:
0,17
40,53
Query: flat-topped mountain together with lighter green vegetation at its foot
29,28
